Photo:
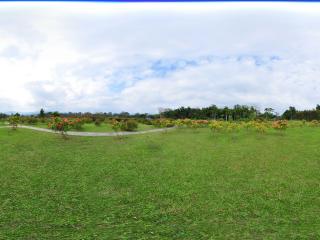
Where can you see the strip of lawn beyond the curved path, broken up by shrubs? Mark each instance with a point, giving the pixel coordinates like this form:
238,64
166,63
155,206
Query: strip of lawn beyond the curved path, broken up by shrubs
90,127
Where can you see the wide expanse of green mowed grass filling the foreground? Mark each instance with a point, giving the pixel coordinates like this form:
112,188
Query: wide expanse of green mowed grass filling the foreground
176,185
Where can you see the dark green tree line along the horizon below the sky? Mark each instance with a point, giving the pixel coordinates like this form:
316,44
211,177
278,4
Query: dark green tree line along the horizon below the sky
237,112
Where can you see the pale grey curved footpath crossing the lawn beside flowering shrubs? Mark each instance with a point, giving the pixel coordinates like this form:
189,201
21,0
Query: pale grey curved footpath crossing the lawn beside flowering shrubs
94,134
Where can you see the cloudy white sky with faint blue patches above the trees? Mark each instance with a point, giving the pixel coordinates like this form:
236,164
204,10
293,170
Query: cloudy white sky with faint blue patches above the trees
139,57
